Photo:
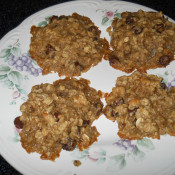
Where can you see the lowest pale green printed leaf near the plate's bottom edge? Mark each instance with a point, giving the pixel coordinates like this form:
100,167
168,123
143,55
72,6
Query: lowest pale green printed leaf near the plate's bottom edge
116,163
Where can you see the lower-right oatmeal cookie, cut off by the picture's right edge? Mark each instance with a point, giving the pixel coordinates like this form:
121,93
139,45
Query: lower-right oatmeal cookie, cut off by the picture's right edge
142,105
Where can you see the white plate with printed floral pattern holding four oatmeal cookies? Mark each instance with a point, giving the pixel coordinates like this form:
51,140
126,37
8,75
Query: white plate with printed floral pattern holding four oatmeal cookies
110,155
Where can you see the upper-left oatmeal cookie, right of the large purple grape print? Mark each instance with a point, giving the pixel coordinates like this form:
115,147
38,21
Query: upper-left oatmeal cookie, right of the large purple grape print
68,45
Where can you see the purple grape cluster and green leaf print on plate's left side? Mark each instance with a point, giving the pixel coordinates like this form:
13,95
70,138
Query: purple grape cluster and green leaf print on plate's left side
11,68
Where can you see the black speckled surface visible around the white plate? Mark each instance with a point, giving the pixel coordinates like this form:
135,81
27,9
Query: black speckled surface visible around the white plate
13,12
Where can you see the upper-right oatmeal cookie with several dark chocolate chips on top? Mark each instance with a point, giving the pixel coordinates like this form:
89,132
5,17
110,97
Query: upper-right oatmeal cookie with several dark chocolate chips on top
141,40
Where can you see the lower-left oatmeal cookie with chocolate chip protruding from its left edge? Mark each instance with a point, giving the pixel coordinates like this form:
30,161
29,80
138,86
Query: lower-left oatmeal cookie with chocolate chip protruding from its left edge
59,116
